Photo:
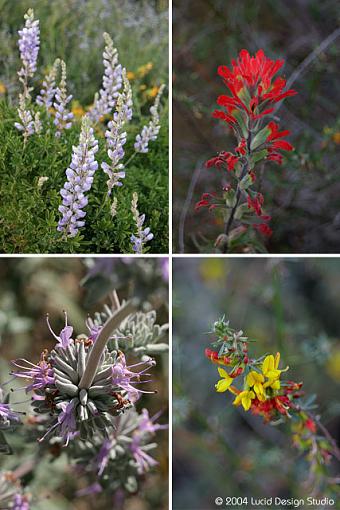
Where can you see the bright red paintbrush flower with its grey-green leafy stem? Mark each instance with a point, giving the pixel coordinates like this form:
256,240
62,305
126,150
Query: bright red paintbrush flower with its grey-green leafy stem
254,95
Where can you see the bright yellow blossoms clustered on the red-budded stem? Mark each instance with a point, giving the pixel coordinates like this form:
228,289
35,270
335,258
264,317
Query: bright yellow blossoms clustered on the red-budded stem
256,383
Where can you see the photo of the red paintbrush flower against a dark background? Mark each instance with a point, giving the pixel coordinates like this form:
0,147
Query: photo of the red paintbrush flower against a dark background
255,131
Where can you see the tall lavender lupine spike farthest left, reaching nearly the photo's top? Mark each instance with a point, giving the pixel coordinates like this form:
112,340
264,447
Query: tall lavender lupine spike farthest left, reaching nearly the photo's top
29,48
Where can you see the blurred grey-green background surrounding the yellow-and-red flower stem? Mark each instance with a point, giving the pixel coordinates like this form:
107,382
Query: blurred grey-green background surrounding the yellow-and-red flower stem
291,306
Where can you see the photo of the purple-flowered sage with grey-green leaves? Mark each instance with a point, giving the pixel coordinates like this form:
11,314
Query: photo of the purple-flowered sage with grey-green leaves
84,383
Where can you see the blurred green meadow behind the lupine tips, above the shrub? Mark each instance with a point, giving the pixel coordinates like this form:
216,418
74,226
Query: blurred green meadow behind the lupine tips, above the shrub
73,30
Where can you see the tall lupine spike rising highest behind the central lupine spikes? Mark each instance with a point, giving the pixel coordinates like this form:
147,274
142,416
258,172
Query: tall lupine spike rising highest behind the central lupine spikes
105,100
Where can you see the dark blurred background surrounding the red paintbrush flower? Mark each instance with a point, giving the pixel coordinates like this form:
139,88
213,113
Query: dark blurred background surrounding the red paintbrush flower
302,196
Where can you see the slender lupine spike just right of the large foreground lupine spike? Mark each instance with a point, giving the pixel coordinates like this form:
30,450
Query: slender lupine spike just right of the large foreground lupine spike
116,137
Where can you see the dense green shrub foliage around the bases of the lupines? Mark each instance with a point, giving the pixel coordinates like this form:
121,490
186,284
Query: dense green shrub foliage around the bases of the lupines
29,213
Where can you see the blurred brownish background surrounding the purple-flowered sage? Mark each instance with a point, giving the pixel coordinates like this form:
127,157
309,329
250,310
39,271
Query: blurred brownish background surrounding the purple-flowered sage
30,287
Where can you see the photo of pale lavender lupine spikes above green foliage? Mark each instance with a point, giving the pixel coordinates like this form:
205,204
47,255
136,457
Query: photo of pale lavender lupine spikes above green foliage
84,160
